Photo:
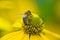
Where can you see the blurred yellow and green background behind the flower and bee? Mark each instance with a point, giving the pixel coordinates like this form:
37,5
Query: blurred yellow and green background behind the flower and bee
10,10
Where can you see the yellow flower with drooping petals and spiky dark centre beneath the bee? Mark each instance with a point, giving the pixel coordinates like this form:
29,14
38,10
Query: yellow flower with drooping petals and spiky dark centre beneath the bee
31,32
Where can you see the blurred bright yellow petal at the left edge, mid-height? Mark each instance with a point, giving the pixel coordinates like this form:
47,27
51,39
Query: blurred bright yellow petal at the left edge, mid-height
5,24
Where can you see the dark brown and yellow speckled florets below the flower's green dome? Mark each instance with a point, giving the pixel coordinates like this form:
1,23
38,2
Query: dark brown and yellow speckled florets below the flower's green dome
33,29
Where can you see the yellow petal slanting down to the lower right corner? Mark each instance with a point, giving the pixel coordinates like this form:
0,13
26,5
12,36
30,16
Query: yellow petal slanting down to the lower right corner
51,35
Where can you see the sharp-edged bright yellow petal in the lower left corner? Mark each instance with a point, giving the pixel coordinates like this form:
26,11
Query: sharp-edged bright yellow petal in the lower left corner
13,36
